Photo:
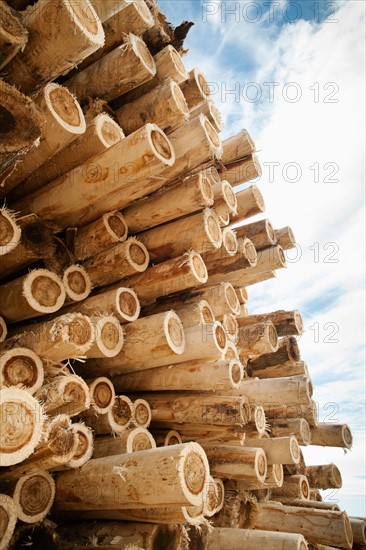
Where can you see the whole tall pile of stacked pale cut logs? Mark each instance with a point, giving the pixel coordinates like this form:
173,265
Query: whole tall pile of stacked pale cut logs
141,404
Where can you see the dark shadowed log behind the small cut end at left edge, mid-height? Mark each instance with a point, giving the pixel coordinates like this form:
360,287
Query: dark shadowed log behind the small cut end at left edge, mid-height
36,243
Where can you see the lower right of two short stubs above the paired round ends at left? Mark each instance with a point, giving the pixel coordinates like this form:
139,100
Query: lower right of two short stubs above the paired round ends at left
117,262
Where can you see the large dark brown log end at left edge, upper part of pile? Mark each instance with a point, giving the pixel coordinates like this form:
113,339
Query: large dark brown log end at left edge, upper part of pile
21,122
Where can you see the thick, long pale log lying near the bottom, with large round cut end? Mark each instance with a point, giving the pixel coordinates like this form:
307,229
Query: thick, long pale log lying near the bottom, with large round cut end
180,473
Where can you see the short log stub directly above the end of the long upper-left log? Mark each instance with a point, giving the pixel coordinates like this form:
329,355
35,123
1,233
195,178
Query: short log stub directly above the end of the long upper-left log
164,105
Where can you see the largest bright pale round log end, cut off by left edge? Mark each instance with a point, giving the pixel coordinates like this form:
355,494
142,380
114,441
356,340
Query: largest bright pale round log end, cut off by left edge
21,420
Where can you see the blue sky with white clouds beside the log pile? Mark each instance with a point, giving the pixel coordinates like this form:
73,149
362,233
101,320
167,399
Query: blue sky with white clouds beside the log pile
292,74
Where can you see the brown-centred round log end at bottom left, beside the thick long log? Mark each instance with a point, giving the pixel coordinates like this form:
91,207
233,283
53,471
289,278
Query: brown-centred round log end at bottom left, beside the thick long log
33,496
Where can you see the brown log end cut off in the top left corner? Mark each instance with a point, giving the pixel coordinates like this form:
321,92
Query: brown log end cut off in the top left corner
13,35
